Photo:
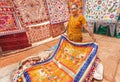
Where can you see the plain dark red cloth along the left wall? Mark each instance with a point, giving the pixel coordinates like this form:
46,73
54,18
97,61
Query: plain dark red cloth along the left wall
14,41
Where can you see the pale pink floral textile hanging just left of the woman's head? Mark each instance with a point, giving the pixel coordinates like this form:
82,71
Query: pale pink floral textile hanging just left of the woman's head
58,11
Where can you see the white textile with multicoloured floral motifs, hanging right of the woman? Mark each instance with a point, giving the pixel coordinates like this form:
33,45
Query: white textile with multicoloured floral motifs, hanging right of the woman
102,10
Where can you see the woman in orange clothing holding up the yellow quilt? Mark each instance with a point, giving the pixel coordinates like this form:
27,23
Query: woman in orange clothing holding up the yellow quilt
75,24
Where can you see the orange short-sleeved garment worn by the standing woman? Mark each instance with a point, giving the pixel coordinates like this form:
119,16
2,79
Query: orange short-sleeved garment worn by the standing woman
75,28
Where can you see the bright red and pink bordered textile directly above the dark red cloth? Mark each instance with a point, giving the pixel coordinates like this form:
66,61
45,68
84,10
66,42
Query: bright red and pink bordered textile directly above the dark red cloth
8,21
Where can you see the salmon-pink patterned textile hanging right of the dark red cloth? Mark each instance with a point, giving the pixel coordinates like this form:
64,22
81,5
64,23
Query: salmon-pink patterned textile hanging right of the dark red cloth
38,33
